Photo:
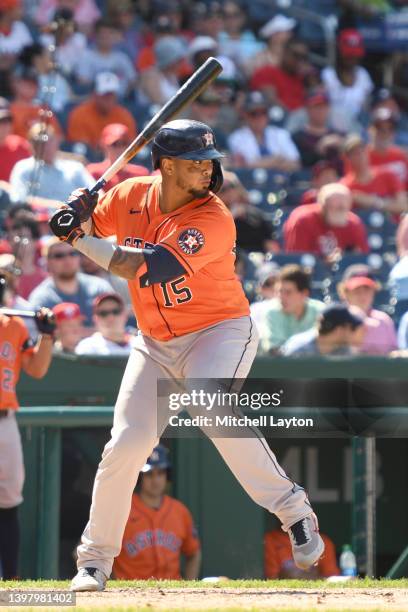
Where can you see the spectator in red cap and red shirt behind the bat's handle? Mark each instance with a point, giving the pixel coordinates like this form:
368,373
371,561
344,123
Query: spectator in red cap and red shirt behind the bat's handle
114,140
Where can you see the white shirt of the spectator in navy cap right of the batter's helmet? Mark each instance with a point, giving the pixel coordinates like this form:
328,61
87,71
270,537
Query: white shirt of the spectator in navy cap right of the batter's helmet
277,141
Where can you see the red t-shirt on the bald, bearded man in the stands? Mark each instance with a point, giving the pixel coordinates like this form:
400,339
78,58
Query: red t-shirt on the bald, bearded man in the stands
306,231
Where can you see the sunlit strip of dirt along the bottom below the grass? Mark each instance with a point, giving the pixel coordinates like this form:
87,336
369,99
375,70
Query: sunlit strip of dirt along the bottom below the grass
221,598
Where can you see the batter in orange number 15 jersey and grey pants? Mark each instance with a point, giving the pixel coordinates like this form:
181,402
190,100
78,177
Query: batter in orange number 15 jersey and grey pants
176,247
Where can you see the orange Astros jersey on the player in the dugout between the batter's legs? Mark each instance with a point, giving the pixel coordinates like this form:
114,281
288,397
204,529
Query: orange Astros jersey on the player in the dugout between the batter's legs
154,539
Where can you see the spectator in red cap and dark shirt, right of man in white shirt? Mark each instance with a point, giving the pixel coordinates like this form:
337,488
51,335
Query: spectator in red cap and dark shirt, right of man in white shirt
311,140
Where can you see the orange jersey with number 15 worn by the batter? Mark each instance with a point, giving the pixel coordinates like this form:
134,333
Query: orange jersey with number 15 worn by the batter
201,236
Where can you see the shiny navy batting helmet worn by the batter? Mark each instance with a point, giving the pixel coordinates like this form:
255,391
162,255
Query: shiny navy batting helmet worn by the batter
187,139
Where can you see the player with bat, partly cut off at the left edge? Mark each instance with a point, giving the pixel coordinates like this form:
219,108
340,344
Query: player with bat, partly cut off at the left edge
17,351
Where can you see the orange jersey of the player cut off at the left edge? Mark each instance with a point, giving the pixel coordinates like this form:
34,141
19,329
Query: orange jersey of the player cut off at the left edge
14,341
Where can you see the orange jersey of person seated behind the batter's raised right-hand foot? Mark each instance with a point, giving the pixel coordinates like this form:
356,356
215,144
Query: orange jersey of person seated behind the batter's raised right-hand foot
278,555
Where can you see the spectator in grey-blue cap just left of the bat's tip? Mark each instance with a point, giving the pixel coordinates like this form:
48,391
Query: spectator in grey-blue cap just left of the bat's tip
160,82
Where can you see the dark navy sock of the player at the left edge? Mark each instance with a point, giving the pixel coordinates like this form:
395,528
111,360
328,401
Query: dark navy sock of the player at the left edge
9,542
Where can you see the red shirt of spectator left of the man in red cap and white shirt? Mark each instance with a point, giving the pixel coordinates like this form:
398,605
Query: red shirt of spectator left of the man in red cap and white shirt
289,88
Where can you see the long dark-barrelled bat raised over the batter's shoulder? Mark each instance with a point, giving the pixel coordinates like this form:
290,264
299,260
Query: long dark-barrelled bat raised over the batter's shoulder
186,94
